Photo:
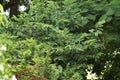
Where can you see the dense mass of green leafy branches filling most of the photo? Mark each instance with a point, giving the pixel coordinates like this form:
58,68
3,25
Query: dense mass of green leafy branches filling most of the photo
58,40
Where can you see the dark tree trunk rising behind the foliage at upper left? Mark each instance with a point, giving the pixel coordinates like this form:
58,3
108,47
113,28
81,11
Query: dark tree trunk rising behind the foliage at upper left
14,7
